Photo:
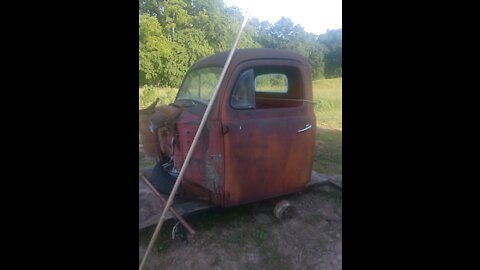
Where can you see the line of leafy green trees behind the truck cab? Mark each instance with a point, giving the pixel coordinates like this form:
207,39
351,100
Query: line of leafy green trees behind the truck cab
174,34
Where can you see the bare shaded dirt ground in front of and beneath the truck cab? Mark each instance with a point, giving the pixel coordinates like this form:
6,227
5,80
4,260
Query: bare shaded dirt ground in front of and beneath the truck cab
250,237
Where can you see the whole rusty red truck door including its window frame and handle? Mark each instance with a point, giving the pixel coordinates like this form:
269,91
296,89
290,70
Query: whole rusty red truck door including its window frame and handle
269,130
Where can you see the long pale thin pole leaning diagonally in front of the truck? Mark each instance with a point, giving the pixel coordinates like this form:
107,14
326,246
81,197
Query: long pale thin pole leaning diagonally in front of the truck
194,143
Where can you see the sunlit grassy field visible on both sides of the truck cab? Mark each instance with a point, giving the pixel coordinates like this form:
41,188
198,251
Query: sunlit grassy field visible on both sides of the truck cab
327,95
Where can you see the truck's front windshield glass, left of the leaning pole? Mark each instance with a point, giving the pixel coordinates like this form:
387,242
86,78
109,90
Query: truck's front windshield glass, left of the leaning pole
199,85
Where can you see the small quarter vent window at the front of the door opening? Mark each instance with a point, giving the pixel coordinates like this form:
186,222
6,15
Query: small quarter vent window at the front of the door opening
243,95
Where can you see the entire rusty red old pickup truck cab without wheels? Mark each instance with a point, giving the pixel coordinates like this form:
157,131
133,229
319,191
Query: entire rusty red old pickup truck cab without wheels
258,142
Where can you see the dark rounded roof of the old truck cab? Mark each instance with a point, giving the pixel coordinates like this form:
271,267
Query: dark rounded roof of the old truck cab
241,55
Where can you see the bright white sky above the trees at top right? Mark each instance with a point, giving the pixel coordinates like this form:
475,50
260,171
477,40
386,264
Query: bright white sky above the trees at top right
316,16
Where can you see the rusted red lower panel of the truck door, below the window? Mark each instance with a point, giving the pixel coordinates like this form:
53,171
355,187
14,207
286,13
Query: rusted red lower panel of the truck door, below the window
266,158
